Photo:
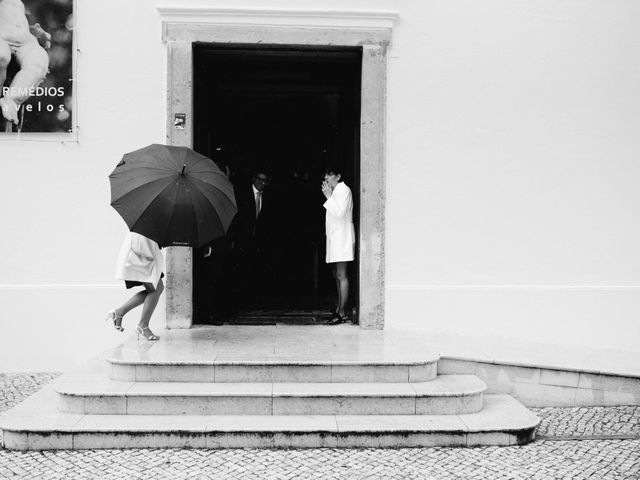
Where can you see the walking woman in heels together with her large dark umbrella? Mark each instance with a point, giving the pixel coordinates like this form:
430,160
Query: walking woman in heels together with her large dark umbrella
170,196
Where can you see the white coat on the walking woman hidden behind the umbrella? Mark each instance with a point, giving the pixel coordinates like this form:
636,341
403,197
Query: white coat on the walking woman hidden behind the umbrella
140,259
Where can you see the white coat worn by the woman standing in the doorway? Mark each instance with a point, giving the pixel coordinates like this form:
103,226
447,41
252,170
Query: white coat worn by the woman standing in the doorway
339,228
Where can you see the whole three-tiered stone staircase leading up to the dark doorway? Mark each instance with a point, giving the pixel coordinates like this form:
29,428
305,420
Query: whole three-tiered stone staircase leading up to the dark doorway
267,387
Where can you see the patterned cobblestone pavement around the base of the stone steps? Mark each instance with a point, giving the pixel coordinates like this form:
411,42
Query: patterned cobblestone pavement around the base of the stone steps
576,443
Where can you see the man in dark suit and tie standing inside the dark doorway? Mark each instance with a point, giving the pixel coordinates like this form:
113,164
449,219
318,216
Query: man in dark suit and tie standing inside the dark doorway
252,239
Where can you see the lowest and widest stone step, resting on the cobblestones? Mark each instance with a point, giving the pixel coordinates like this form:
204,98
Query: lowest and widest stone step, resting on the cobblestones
36,425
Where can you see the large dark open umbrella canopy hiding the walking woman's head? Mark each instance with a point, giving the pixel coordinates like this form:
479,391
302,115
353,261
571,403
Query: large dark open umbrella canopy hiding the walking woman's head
172,195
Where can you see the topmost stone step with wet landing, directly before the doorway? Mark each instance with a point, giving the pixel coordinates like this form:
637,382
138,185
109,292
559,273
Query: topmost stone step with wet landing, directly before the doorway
266,354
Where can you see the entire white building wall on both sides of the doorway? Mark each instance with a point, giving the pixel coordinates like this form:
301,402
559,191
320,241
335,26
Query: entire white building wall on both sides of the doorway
512,164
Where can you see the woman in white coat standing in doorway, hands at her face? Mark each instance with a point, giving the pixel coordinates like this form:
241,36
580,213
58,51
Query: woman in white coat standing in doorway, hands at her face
340,236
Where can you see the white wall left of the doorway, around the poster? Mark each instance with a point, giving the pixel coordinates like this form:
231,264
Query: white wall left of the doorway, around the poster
60,237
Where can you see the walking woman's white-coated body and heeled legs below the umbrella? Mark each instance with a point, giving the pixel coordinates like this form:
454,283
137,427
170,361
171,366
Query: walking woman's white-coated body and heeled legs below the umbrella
140,263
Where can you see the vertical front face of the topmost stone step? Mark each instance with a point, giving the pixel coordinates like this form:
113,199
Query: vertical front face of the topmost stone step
275,368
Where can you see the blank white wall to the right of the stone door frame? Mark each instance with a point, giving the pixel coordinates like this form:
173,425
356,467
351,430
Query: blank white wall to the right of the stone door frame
513,137
